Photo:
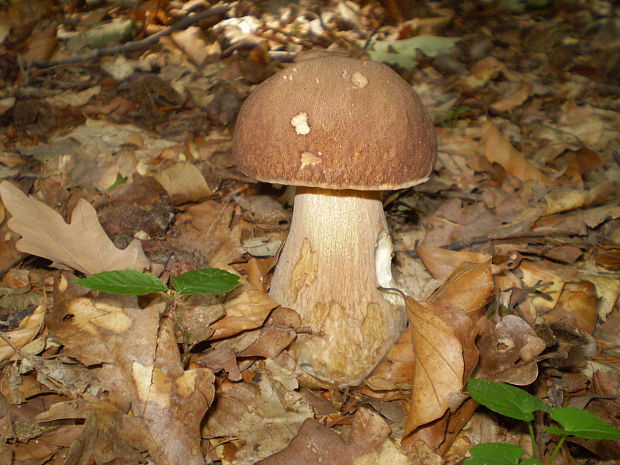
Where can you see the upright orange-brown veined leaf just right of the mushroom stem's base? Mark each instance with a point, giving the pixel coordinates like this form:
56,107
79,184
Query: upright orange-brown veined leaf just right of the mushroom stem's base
439,366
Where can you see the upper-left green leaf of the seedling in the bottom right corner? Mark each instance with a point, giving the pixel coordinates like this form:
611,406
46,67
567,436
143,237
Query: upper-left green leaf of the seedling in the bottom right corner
505,399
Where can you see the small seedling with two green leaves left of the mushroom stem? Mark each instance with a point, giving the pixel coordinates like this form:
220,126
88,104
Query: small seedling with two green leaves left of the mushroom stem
131,282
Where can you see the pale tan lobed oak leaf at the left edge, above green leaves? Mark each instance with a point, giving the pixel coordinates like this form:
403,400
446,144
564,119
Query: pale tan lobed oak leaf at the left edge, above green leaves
82,245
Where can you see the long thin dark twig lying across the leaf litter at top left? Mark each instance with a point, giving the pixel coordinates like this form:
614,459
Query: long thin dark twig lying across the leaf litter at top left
138,44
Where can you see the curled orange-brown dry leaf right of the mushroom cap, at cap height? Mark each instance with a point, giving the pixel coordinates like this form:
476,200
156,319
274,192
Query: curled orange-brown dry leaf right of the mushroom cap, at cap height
499,150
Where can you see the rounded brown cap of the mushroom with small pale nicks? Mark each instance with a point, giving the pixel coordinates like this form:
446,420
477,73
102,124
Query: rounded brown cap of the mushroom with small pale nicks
336,123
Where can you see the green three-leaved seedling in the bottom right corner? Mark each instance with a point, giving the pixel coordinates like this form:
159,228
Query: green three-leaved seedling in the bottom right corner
518,404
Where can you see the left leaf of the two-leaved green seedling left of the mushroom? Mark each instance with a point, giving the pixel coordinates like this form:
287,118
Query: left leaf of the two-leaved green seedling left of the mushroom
126,282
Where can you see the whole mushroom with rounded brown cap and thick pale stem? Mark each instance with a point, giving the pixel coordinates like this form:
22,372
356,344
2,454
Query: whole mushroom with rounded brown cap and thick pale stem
342,130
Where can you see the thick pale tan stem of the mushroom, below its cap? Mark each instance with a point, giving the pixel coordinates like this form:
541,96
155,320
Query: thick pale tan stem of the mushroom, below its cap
327,273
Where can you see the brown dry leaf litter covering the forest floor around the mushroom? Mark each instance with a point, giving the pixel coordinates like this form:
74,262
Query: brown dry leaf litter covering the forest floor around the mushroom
509,253
